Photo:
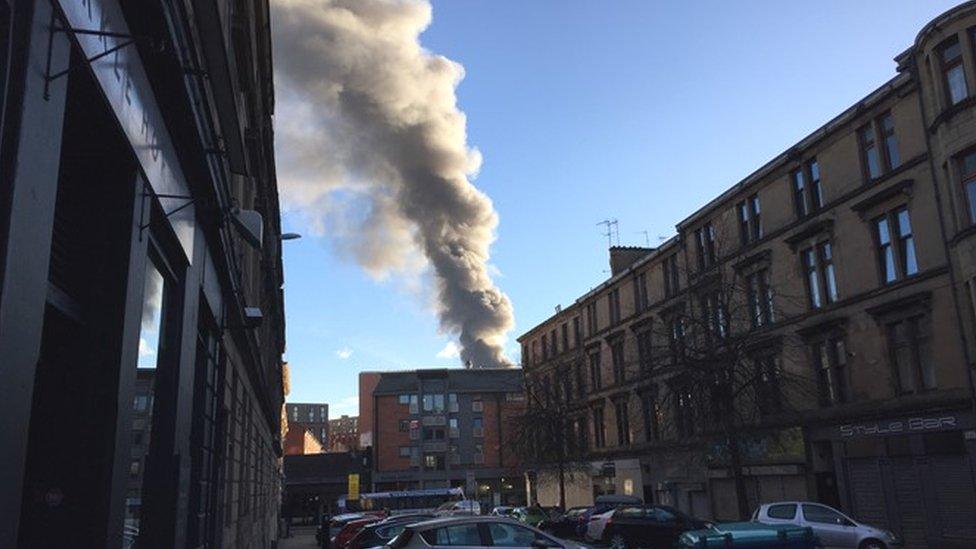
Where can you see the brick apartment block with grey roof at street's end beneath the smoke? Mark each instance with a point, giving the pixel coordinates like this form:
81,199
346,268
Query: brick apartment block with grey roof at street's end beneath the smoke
442,428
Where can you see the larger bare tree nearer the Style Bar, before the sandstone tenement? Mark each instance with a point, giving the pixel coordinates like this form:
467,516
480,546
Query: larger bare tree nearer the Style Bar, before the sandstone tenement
720,357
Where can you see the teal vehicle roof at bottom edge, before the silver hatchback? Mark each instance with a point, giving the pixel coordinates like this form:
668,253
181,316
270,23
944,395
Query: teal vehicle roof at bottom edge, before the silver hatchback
749,535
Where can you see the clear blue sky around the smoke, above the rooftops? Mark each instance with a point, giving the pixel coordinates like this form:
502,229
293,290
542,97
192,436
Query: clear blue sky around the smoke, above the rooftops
636,110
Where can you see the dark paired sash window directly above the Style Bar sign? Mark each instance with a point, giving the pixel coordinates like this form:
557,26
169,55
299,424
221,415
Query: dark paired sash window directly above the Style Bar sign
909,348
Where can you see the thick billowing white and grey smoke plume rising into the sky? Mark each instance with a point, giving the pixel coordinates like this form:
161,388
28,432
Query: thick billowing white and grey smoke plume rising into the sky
372,149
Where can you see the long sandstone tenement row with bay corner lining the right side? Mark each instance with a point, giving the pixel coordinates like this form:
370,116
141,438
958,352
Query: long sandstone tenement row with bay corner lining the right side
855,256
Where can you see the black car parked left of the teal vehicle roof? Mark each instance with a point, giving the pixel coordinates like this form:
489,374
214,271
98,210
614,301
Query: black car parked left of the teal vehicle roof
641,526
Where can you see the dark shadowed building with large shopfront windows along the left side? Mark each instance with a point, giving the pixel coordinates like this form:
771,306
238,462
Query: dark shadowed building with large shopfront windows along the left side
141,311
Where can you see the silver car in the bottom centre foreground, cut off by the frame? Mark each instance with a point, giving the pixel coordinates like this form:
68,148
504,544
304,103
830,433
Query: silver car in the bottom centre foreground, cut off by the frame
485,531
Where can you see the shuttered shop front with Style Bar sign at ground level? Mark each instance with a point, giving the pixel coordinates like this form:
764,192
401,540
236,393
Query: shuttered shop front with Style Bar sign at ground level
911,474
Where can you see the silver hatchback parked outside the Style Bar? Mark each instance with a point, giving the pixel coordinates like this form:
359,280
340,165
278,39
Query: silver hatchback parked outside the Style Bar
832,528
